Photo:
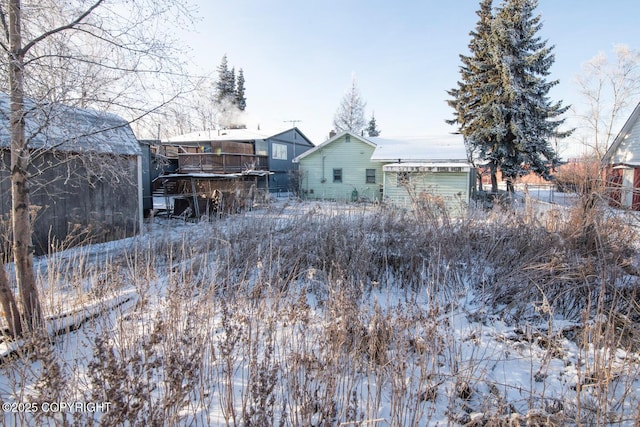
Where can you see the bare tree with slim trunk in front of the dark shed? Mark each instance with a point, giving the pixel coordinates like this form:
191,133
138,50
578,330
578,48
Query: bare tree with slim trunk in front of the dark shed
106,55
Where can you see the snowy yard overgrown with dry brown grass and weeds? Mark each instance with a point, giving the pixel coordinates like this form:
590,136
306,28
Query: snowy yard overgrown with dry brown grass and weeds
315,314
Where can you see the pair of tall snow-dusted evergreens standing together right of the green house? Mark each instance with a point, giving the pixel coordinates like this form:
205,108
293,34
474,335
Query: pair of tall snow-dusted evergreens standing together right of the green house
502,104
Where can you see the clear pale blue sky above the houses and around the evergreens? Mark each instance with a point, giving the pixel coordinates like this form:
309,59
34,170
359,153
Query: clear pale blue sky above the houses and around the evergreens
299,57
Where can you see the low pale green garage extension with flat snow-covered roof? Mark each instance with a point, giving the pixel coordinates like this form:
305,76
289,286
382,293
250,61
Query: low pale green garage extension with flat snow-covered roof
425,170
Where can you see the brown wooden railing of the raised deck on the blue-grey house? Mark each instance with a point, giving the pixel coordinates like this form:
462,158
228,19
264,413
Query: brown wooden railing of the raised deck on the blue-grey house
220,163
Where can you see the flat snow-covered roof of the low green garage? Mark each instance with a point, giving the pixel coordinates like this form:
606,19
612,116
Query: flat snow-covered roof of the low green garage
440,148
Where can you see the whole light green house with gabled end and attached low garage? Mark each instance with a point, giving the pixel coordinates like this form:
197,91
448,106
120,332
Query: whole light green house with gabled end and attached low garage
401,172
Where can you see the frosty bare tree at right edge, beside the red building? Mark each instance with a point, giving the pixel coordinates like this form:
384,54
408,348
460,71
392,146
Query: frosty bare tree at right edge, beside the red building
609,90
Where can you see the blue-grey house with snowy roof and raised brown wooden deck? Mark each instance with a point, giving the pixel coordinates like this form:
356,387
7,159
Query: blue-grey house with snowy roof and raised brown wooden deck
241,149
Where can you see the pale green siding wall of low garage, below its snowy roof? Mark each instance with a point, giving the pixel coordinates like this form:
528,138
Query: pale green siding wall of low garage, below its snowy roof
452,187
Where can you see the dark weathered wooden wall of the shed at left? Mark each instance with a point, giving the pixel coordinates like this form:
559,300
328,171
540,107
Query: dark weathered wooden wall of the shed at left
73,204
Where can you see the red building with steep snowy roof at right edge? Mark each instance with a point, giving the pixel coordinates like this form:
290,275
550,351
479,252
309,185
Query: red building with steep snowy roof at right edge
623,164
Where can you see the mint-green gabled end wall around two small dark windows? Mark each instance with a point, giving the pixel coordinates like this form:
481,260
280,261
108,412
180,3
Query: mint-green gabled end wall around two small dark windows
353,158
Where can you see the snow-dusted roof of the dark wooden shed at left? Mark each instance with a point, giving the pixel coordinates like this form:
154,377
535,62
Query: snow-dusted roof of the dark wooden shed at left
63,128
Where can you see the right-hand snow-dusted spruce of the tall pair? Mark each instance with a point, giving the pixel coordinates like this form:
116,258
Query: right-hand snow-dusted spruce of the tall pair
528,118
